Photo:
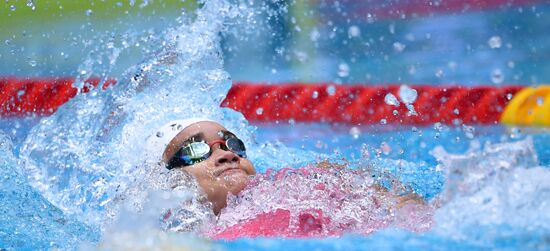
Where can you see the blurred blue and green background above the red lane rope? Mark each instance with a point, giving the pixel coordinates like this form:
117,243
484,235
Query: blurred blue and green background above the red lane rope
434,42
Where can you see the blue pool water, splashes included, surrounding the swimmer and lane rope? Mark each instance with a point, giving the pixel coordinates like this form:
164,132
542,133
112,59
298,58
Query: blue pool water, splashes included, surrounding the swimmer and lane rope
80,179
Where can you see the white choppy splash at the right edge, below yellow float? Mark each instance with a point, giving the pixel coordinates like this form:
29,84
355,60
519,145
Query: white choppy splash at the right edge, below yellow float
494,192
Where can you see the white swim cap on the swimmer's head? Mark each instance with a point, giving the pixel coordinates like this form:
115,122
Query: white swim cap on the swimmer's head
157,143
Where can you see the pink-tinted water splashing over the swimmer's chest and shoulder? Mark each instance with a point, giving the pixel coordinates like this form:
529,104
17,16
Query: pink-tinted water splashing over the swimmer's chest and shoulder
351,200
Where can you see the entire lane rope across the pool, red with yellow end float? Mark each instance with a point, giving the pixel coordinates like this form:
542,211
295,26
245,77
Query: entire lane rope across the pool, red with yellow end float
297,102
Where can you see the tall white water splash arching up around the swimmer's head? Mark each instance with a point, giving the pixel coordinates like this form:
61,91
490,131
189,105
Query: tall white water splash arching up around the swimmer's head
89,157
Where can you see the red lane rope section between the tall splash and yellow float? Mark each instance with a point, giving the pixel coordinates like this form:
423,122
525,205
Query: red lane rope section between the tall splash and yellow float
360,104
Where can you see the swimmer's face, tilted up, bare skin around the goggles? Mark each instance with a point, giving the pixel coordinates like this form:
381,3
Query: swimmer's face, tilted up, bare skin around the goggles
222,172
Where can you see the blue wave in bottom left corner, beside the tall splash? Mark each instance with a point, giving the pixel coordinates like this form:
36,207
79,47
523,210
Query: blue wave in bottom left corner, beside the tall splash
28,220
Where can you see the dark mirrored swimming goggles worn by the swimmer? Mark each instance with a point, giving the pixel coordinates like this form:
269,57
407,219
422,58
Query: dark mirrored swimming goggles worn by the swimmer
196,152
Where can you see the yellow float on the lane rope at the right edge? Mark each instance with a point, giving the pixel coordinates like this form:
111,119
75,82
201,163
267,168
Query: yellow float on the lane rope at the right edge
530,106
